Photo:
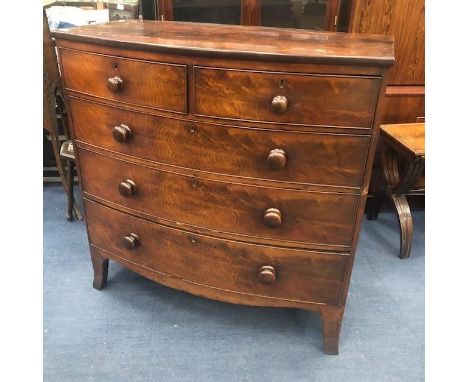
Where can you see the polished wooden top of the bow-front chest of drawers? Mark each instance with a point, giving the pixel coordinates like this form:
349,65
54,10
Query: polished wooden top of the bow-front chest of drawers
261,43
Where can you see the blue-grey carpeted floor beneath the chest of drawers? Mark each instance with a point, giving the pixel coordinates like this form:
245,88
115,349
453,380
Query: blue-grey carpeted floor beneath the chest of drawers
135,330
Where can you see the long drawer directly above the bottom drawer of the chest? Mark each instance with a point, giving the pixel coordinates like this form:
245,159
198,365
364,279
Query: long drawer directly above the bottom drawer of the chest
300,216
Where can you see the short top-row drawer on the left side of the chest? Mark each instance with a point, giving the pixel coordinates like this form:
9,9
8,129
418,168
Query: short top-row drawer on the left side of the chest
144,83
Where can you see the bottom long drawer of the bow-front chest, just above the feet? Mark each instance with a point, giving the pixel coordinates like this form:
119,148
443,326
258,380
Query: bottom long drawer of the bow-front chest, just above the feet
246,268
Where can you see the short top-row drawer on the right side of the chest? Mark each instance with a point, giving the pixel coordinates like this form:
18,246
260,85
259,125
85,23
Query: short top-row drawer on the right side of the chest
287,98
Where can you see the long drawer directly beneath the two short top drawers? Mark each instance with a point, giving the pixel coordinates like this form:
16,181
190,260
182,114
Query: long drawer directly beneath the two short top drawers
328,159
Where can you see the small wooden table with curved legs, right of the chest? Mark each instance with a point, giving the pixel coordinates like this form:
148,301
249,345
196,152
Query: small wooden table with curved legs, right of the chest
405,141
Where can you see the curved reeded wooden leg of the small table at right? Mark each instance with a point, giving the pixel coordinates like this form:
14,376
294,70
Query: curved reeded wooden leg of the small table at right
396,190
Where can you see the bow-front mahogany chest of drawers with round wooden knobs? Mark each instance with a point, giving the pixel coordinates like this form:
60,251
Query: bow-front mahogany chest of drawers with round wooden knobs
228,162
